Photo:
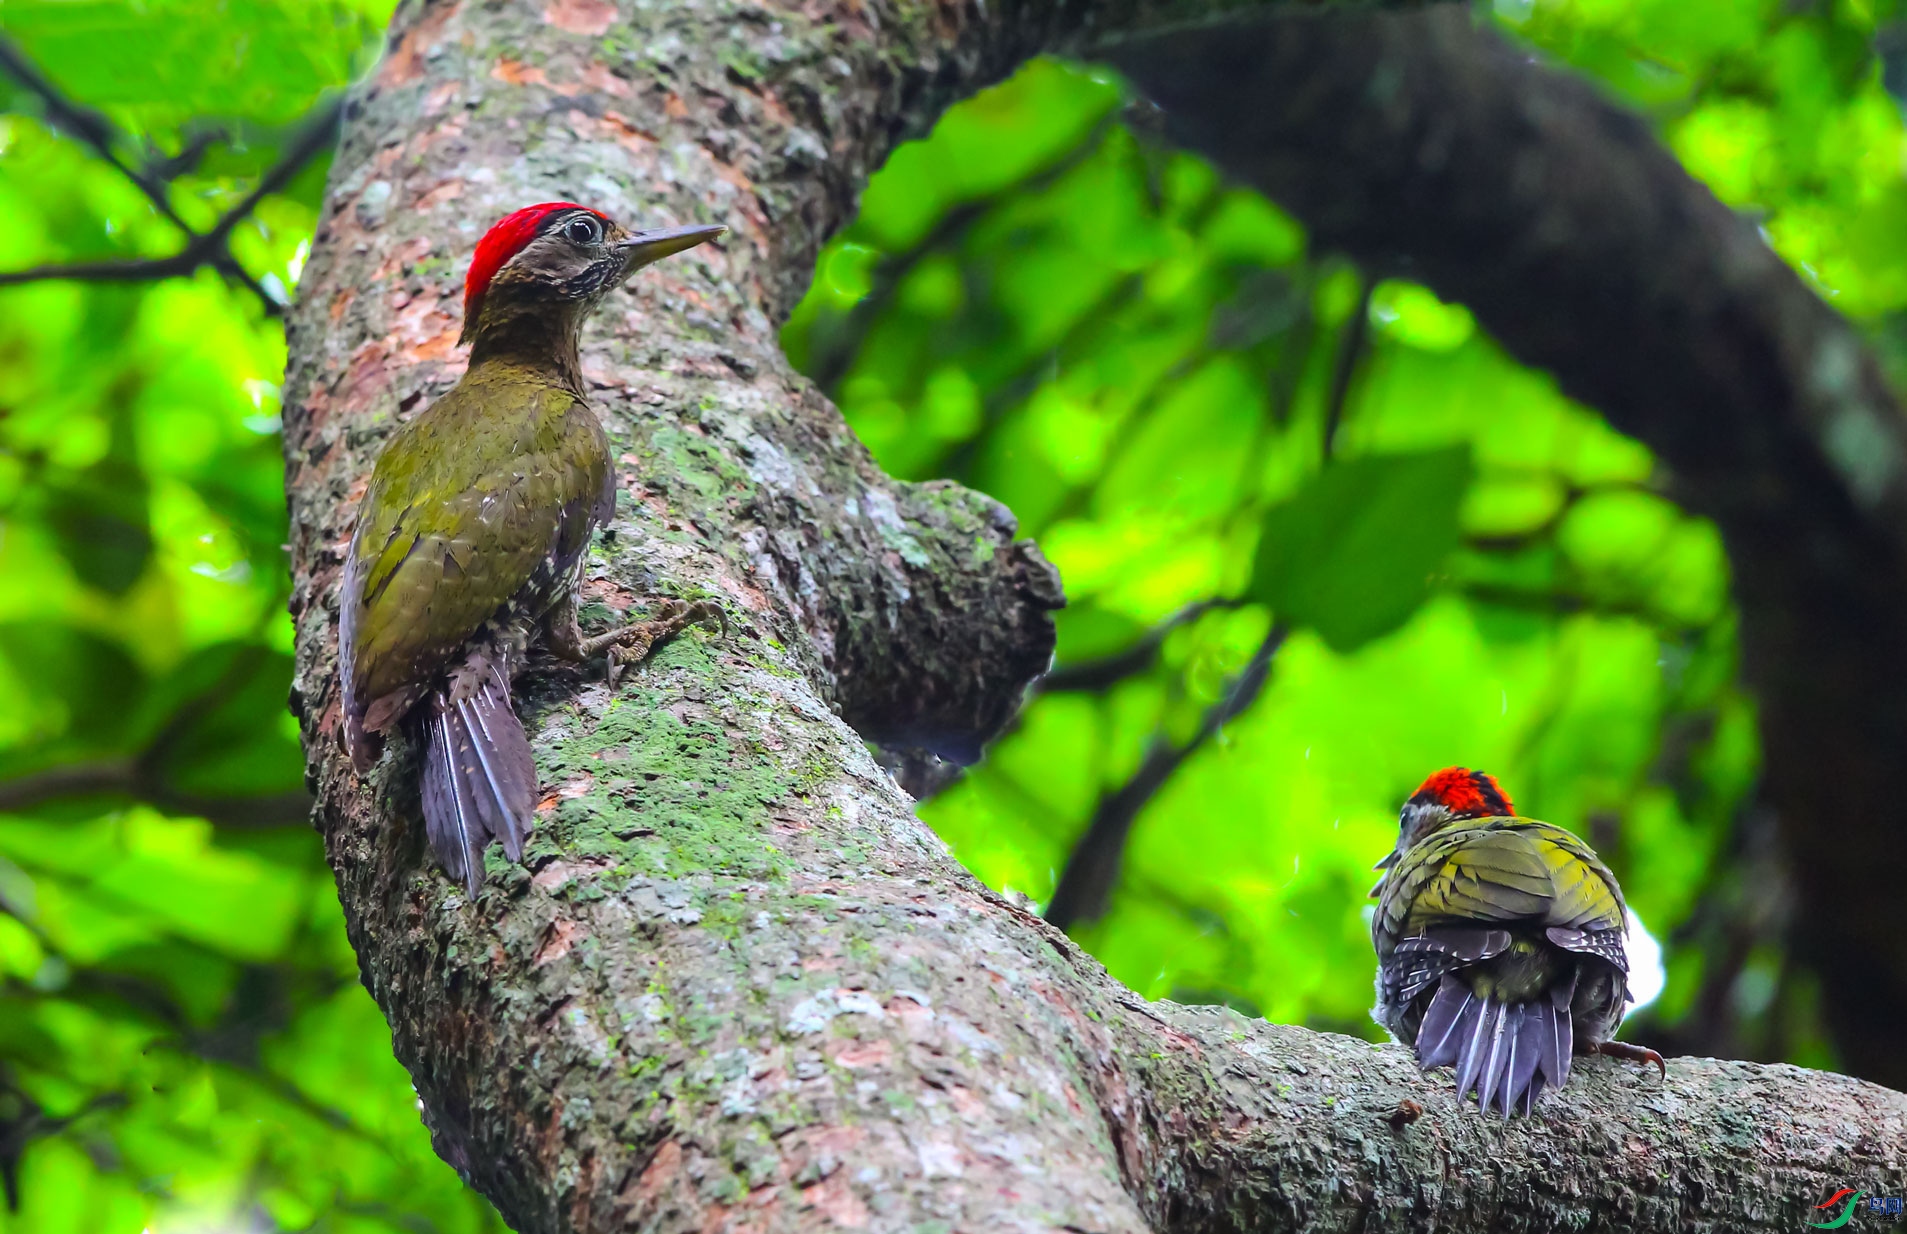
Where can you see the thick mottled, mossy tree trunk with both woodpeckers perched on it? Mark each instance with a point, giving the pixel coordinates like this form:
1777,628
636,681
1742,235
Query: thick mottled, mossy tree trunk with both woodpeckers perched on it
735,983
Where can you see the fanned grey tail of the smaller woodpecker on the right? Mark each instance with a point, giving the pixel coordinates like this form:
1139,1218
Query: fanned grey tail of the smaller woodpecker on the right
1507,1054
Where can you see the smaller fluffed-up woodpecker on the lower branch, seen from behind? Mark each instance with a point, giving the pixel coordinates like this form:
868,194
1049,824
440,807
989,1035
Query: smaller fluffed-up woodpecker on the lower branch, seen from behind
1500,943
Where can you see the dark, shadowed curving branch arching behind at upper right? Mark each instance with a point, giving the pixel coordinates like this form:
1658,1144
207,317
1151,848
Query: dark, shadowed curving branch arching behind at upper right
1429,148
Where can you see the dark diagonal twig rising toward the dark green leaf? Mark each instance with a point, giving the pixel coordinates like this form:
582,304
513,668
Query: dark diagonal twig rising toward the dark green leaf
1094,867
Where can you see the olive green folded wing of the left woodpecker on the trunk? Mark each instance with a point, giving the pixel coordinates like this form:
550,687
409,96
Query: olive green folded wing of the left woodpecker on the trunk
451,533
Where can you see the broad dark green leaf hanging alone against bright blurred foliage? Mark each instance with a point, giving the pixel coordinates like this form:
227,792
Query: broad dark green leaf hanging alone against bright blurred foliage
1353,554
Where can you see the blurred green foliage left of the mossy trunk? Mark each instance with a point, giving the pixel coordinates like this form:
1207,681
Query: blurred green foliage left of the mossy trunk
184,1042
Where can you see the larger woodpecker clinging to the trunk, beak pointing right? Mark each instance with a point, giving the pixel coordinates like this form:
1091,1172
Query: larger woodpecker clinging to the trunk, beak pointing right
474,531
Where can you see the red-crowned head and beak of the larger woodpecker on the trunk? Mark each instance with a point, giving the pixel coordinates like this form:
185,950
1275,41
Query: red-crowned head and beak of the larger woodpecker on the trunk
556,262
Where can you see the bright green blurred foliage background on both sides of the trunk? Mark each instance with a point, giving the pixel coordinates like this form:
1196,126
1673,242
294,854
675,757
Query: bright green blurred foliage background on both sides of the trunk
1099,333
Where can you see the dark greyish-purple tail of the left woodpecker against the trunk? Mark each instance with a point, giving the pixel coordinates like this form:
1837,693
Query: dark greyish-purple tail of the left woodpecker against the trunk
480,781
